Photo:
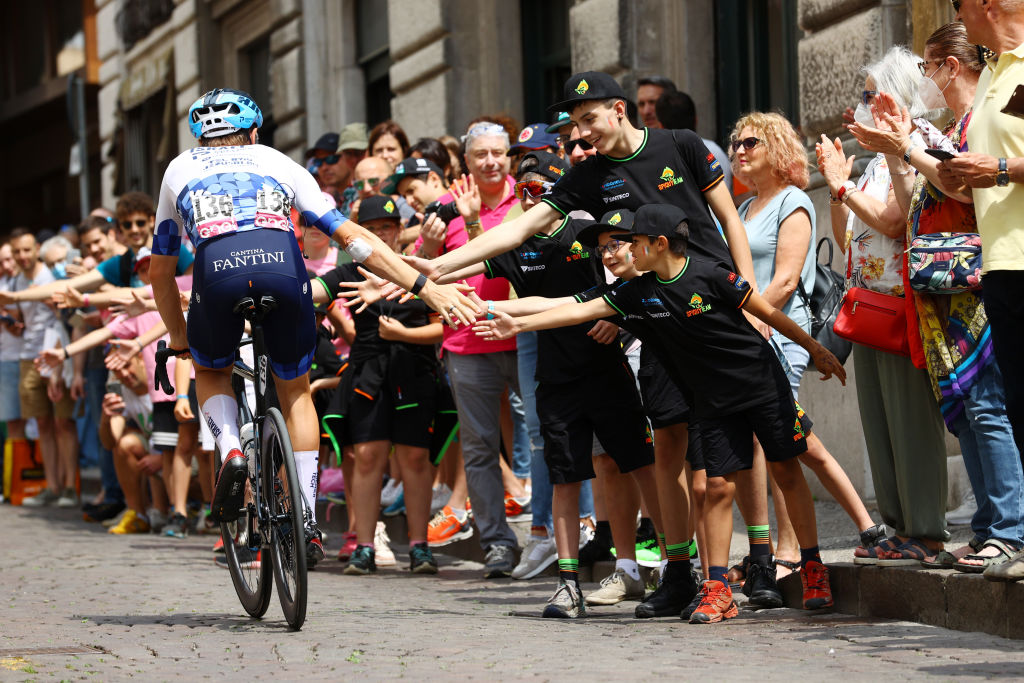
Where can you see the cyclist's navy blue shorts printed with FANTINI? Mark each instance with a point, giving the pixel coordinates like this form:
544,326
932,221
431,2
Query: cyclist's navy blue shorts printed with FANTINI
252,264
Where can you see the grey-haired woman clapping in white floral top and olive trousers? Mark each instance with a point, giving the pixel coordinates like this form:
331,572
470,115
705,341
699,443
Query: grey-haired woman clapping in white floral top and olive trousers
902,421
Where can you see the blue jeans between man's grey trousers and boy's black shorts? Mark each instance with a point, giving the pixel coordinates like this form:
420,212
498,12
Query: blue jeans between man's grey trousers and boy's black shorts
541,491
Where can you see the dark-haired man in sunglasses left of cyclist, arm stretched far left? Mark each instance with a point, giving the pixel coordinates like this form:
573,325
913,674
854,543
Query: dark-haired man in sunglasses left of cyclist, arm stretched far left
136,220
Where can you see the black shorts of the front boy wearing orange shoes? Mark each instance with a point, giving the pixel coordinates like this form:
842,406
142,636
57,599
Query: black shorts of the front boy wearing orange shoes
727,445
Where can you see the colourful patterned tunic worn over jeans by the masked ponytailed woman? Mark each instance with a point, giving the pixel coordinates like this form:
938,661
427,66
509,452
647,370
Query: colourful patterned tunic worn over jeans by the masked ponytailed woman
955,333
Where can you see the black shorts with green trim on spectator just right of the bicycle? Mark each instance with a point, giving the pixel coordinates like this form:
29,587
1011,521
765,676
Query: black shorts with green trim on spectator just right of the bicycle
390,398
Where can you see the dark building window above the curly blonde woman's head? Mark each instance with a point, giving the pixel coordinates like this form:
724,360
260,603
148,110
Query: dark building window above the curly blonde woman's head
757,57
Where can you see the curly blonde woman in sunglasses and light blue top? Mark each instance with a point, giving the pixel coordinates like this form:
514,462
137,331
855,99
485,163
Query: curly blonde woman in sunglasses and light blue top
769,156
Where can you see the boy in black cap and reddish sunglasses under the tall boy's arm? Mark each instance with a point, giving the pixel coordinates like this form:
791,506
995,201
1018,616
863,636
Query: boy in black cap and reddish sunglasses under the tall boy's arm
584,388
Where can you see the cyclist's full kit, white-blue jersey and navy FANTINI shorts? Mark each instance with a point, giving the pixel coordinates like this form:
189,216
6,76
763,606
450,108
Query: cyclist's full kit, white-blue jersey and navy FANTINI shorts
235,203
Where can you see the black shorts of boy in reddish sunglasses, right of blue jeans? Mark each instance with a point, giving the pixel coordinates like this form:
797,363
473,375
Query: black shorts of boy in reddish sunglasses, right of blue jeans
605,403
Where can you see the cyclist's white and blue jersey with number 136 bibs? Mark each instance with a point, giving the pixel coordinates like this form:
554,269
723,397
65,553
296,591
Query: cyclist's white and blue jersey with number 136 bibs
209,192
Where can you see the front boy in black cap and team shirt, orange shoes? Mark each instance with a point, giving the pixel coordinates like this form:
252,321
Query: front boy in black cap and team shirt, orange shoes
690,315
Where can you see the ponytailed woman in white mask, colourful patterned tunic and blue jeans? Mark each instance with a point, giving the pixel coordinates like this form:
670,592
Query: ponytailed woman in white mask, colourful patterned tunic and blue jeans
953,328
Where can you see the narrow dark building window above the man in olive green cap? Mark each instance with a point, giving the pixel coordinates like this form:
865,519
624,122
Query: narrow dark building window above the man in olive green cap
374,58
